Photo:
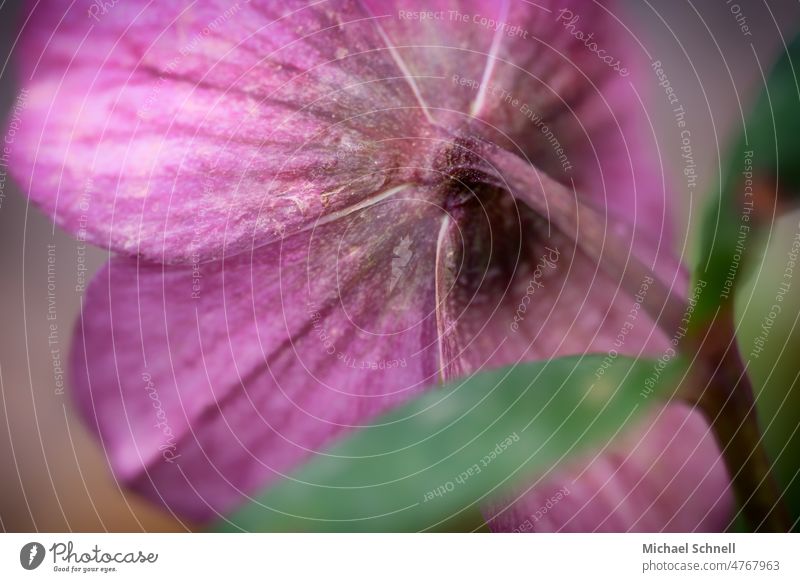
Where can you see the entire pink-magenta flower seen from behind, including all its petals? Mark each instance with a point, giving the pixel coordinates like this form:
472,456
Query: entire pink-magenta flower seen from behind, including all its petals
311,222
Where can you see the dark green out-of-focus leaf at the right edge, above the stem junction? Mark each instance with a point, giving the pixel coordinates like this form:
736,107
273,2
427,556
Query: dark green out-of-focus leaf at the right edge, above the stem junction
767,152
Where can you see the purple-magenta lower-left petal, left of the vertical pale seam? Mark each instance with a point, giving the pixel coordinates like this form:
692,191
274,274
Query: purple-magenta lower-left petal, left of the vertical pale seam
206,385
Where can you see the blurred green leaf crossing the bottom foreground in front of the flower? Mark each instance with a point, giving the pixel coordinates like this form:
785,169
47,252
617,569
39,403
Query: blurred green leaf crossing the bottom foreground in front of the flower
430,463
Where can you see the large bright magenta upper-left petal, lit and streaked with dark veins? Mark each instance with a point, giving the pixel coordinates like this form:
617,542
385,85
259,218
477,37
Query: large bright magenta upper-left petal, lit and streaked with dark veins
156,132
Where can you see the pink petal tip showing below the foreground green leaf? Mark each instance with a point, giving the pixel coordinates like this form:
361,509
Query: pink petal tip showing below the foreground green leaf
665,476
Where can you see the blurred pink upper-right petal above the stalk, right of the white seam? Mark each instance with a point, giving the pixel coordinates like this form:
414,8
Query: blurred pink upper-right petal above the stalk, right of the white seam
577,118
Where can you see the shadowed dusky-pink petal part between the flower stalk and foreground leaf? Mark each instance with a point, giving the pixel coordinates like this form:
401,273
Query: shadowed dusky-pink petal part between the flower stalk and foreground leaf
521,289
